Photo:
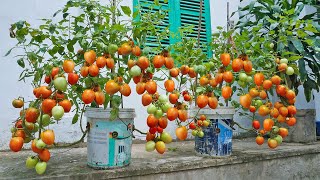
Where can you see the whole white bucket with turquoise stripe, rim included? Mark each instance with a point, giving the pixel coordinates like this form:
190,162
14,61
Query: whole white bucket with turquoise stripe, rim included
109,142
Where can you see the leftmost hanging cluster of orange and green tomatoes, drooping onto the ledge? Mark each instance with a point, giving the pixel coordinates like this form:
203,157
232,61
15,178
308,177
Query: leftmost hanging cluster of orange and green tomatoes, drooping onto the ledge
49,106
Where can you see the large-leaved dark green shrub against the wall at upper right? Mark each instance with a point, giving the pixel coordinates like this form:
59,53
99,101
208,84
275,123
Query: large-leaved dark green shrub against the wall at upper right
291,31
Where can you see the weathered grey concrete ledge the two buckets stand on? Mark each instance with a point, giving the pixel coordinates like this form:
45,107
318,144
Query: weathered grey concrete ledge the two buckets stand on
248,161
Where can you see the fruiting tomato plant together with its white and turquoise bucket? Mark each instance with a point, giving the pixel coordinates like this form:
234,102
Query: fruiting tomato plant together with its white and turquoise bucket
96,75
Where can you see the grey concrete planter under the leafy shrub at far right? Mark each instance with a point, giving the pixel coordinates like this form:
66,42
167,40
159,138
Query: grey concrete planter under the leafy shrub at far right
304,131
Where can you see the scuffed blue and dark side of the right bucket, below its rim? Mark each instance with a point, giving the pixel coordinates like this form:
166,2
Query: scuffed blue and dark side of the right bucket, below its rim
217,140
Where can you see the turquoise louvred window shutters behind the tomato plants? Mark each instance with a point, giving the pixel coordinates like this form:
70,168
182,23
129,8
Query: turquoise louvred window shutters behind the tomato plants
181,13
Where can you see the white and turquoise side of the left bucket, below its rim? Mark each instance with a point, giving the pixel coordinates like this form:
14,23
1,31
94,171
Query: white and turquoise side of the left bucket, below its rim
109,143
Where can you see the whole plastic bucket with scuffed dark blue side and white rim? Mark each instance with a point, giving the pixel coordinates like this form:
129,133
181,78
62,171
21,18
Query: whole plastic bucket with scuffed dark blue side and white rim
217,139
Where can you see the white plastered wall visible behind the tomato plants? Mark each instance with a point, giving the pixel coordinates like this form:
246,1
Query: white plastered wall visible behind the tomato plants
32,10
